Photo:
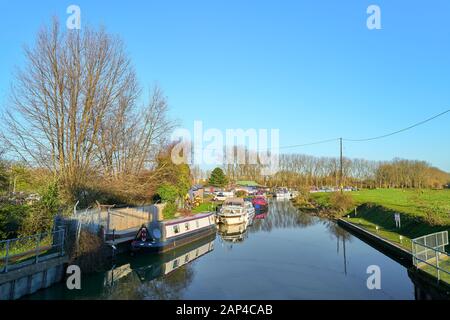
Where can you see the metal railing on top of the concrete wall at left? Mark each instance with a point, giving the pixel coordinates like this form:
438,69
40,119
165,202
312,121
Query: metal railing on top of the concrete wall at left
20,252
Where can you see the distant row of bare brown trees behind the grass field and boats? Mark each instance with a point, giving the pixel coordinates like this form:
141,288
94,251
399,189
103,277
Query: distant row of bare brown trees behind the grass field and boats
299,170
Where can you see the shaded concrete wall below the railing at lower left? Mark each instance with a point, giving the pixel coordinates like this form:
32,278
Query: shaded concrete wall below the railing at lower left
27,280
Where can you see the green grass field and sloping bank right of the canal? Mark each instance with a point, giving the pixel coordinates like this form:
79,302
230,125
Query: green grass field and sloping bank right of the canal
376,208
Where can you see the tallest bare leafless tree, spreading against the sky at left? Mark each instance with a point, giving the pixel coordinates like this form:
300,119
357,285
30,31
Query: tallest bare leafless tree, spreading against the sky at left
71,82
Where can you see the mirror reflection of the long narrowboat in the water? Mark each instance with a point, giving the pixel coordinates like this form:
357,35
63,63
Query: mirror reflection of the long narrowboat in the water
149,267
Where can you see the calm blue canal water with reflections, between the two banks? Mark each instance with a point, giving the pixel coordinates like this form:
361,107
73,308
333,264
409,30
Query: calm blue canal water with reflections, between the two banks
284,254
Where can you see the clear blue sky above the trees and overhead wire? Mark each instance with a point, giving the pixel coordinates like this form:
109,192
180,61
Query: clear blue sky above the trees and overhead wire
309,68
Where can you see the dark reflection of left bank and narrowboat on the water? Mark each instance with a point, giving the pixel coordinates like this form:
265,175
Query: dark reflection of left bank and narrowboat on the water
144,276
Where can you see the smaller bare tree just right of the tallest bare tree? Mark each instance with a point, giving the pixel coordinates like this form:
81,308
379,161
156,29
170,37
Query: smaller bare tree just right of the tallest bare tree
130,137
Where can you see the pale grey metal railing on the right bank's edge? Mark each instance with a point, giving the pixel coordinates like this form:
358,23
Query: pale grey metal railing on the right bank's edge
430,251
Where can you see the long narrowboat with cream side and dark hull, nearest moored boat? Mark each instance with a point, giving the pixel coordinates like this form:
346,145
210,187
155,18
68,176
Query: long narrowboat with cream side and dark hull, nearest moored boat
166,235
